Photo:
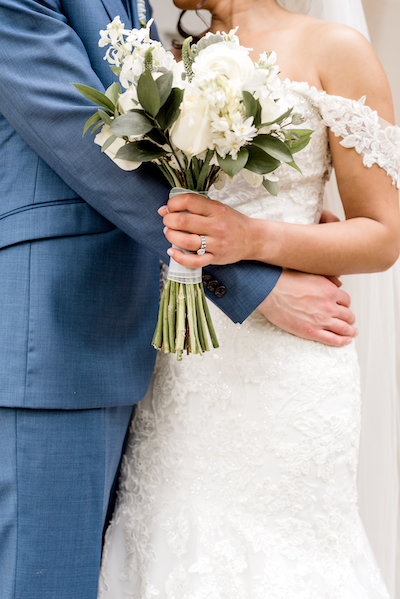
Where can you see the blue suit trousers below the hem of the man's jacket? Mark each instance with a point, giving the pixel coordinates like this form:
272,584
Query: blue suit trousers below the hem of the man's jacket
56,472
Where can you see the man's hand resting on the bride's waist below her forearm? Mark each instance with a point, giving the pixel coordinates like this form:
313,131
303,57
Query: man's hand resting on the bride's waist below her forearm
312,307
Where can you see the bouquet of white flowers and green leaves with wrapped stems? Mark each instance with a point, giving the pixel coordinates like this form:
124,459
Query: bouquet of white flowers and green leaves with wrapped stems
201,121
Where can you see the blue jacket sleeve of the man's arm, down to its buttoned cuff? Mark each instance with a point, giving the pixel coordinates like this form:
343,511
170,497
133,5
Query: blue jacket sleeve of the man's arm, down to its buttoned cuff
41,55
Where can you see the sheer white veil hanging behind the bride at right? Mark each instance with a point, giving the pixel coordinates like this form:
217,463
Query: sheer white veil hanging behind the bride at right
376,302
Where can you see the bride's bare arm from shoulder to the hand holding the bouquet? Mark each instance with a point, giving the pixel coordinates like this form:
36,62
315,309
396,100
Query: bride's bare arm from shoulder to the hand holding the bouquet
369,239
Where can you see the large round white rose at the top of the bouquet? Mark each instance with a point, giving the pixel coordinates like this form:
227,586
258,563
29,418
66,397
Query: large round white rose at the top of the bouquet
226,58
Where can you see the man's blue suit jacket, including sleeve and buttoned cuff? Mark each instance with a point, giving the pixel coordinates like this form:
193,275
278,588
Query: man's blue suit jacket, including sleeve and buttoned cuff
80,239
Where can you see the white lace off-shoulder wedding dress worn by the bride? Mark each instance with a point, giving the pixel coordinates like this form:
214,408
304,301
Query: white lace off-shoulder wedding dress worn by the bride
239,480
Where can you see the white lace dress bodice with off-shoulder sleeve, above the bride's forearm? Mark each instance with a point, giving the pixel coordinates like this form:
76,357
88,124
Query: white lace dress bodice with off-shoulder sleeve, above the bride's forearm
300,195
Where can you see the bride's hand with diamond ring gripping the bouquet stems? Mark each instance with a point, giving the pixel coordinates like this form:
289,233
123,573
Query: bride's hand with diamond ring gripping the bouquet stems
227,232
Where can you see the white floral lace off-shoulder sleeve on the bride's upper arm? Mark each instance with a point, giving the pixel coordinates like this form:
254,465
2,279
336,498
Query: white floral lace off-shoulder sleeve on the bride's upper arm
361,128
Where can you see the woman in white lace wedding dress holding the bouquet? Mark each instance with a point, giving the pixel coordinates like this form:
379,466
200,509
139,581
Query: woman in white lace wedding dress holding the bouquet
239,479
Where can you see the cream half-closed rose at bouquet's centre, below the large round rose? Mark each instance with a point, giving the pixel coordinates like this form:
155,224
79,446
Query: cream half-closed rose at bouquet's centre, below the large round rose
191,132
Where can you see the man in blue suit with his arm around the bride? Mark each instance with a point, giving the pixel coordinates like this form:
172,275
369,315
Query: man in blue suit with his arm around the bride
80,242
